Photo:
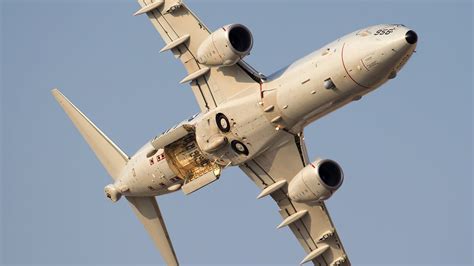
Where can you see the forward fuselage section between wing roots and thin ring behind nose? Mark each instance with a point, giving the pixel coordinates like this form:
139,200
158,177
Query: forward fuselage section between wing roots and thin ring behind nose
303,96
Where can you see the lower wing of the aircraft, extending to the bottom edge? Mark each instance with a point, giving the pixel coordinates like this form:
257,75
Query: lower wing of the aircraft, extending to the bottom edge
314,230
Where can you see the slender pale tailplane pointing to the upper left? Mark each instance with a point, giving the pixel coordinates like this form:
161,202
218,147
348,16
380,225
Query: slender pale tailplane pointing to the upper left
109,154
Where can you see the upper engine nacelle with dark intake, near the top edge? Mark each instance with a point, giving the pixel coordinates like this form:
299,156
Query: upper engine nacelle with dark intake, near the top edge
225,46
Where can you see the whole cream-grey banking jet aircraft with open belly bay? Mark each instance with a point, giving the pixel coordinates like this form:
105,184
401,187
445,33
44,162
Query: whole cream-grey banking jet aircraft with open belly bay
248,120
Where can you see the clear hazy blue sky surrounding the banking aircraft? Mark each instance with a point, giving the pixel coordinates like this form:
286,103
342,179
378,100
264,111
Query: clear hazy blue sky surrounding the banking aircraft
406,148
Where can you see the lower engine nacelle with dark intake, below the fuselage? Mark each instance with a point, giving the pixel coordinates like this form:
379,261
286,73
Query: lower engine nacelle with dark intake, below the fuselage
316,182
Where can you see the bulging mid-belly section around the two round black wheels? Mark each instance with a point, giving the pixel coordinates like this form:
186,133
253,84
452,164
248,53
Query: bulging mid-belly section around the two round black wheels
248,127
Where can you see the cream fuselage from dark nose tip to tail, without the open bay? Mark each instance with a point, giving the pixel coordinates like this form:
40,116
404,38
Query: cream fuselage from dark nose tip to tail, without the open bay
290,99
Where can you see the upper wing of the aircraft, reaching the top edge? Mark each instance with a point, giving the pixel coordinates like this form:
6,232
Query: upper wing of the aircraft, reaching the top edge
183,32
